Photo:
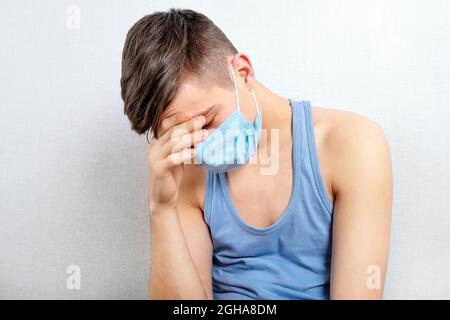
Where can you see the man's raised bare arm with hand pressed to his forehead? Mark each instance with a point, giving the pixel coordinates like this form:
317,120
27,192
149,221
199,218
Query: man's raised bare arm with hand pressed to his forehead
179,265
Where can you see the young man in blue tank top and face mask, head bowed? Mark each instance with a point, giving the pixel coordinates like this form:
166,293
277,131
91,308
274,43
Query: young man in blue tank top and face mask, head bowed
302,210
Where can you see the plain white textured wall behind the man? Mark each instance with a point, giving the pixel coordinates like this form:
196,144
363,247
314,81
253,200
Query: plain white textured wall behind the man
73,177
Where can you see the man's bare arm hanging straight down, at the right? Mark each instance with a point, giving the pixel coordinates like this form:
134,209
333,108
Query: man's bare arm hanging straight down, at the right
362,184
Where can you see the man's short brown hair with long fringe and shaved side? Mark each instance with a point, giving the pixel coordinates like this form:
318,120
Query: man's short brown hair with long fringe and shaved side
161,51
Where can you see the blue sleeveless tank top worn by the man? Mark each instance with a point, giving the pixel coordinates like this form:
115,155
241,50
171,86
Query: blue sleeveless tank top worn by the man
289,259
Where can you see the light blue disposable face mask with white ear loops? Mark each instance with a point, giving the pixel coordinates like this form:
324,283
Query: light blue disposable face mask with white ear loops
233,143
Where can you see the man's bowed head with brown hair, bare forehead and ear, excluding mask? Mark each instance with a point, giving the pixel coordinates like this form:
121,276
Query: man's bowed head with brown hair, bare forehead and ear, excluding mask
177,61
